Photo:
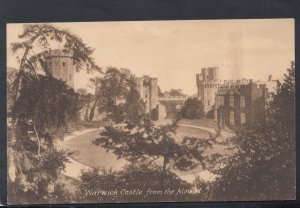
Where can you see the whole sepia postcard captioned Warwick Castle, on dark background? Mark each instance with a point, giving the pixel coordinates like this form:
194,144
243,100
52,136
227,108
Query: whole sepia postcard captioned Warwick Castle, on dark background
151,111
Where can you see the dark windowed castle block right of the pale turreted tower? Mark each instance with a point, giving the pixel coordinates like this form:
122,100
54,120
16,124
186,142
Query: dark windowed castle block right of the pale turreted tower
243,101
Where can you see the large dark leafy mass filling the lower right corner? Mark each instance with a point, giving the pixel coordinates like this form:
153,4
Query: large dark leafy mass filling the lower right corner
263,167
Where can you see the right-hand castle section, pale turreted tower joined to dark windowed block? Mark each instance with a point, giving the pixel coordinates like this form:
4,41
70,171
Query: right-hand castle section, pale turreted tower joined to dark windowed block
234,101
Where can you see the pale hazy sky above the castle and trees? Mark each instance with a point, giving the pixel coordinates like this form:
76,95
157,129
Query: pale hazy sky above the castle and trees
175,51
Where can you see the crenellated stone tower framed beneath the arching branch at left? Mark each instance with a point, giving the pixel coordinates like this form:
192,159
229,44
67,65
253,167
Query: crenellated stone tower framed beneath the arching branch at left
60,65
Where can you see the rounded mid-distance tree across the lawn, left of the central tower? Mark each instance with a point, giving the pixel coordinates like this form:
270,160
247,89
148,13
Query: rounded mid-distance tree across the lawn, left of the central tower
119,98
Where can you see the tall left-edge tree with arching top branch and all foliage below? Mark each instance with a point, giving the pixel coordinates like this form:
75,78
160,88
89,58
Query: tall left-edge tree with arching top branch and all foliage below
41,106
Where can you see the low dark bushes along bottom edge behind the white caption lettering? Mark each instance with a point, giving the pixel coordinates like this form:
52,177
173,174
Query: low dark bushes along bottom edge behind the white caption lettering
140,177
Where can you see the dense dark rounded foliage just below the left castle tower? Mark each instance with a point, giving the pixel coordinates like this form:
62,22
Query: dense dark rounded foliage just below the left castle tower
46,101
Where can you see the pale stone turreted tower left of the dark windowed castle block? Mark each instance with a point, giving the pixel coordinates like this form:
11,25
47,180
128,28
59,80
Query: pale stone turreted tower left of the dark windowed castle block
208,83
